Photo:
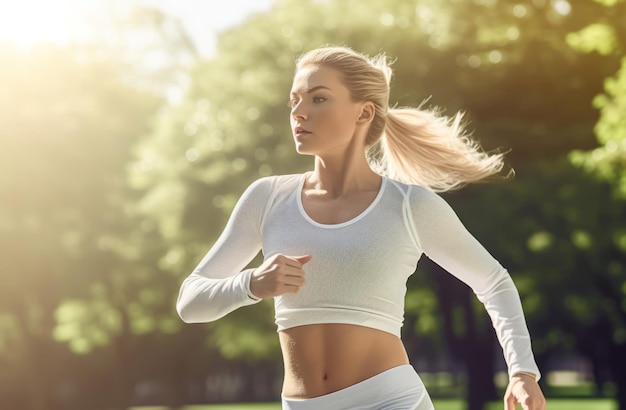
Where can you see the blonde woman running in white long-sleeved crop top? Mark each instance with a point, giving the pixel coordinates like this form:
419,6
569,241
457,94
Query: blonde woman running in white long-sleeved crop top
339,243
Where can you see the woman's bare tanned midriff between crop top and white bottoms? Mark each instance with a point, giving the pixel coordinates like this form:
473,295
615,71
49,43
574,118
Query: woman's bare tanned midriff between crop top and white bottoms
324,358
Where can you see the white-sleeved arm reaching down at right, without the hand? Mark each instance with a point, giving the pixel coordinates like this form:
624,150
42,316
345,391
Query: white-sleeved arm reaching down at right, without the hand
447,242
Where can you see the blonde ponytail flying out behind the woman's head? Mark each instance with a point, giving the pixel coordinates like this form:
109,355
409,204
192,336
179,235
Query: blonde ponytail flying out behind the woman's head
424,148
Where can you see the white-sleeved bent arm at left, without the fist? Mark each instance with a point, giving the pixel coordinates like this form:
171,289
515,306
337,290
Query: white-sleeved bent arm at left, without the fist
217,286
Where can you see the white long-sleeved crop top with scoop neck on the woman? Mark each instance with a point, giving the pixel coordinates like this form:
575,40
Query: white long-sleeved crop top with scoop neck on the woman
359,268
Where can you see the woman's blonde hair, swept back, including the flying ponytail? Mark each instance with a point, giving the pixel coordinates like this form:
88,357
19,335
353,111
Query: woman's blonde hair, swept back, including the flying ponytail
411,145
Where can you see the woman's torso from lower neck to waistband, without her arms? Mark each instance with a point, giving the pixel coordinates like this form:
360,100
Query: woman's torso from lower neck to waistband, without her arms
343,326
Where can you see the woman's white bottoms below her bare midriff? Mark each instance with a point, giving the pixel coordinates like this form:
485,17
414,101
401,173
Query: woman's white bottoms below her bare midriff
399,388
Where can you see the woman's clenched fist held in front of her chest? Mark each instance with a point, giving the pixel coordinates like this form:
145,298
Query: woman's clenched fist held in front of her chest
277,275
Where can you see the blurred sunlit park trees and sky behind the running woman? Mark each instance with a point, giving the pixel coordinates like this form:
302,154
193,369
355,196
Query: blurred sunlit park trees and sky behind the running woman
128,129
